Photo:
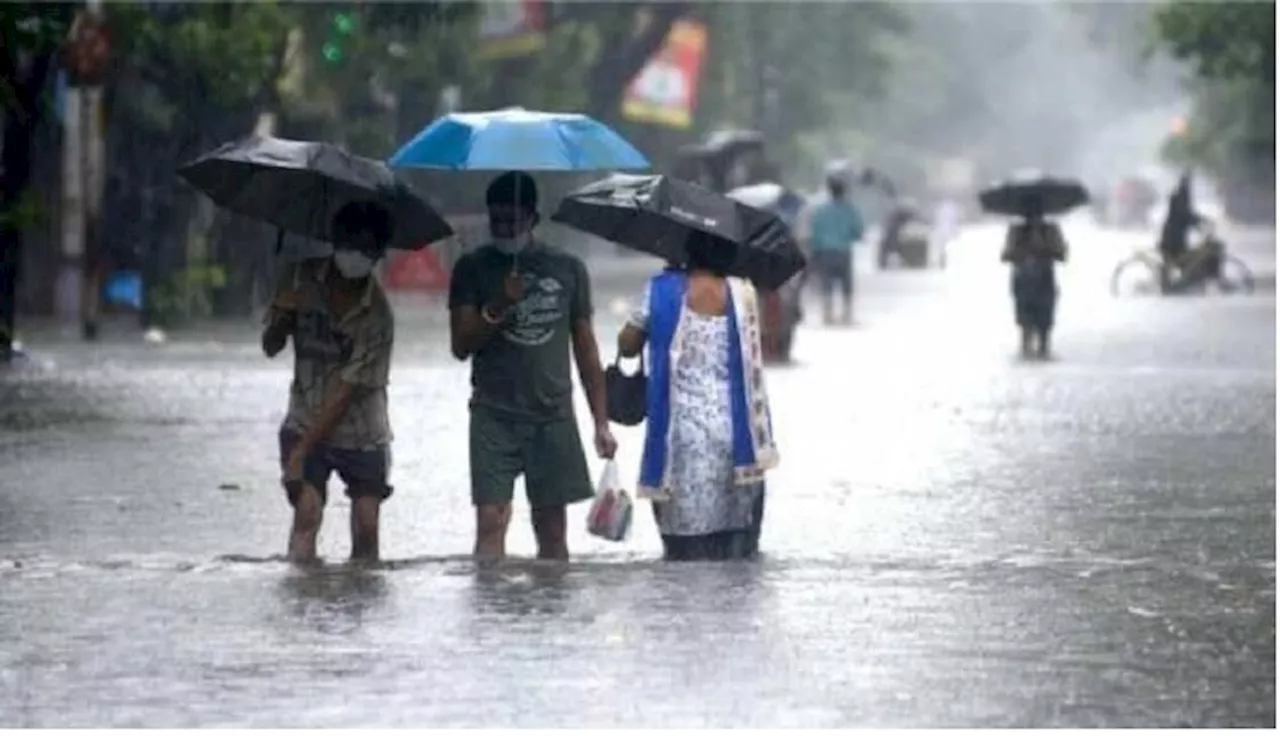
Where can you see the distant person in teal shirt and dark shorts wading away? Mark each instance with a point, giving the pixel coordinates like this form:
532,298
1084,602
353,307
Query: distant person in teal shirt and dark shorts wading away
834,229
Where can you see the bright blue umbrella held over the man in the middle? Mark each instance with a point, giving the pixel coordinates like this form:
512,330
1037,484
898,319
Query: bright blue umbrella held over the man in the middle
518,139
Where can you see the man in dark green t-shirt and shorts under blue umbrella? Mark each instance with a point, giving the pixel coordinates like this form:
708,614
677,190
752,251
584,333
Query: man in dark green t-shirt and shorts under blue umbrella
516,305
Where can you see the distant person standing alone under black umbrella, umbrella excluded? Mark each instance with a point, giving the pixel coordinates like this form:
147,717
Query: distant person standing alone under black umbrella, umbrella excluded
1032,248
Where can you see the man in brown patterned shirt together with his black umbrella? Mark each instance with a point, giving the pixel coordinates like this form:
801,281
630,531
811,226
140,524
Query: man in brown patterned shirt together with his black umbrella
335,312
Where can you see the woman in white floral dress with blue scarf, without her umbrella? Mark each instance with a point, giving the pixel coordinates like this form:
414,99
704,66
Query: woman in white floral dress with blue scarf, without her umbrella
706,454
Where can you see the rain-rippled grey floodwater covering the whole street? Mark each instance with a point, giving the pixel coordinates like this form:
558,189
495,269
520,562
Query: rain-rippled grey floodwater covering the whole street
954,538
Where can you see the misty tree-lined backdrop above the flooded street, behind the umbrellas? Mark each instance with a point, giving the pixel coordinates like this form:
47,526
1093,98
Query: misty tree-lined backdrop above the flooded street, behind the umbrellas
943,98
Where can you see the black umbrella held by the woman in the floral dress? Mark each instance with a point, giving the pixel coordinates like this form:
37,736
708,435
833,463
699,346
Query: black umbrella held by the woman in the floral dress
656,214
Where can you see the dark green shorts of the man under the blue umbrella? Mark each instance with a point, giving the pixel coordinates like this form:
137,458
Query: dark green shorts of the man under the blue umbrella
550,455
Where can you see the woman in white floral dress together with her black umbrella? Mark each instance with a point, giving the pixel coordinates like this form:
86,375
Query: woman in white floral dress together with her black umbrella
710,433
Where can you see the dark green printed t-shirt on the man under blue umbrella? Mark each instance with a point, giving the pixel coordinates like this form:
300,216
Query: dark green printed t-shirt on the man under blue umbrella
524,372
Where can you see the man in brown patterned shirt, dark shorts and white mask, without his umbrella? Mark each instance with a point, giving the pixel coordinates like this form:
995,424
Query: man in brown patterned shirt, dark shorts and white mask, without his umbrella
342,330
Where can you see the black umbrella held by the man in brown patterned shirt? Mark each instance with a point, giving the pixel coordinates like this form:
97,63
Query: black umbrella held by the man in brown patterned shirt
300,186
